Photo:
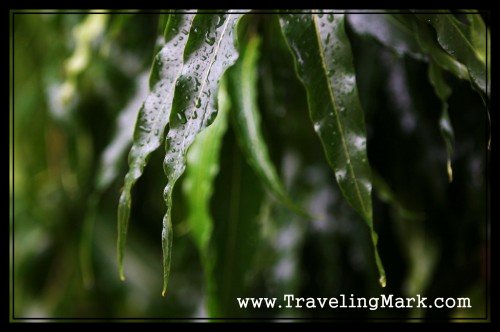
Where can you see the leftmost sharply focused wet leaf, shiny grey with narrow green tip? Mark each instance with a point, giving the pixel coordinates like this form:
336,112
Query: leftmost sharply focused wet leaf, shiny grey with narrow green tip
153,117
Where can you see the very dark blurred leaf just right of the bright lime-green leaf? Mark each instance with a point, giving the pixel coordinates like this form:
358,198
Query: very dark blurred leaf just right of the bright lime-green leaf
237,230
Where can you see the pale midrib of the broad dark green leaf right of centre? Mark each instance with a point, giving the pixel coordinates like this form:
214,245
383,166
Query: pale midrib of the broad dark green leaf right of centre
337,116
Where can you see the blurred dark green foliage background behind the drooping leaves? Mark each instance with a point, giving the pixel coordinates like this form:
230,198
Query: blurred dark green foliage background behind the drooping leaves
79,80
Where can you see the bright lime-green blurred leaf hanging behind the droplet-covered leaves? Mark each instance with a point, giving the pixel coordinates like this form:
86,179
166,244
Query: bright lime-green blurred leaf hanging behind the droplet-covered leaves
203,166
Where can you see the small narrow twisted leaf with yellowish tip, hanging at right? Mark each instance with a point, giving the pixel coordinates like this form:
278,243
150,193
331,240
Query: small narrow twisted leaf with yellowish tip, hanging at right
443,91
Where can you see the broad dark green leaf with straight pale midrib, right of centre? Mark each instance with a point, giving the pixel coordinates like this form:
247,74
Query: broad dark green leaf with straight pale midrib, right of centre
324,63
